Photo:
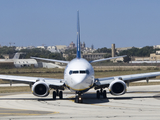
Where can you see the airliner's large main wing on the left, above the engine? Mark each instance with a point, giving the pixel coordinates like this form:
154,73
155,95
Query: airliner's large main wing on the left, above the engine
31,80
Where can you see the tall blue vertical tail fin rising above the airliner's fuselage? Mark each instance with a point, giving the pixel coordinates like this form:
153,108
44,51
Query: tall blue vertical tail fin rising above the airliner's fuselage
78,37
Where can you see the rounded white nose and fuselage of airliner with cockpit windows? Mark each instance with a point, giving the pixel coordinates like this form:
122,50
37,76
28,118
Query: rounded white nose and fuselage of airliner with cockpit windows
79,75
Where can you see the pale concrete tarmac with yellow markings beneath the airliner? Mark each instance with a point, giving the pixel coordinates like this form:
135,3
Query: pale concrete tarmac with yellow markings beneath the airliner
141,102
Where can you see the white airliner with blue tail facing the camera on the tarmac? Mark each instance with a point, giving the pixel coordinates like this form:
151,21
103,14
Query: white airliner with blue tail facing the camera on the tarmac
79,78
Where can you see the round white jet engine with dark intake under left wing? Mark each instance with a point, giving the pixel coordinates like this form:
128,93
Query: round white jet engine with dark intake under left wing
40,89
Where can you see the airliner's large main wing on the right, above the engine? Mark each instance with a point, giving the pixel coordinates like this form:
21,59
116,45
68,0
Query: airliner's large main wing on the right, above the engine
126,78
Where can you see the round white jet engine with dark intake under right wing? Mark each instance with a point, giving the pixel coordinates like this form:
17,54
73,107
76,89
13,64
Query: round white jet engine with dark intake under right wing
117,87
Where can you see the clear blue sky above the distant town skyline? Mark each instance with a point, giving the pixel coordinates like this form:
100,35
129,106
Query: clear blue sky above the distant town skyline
126,23
